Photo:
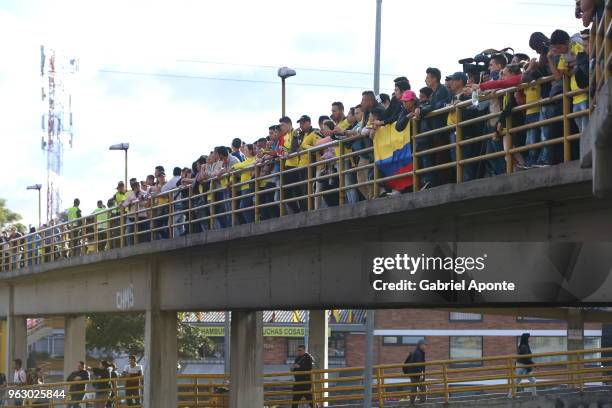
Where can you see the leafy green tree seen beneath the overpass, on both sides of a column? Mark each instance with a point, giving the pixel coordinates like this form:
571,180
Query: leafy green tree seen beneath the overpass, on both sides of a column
124,333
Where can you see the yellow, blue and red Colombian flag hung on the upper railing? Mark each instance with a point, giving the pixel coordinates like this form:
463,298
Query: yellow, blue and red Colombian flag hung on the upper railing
393,154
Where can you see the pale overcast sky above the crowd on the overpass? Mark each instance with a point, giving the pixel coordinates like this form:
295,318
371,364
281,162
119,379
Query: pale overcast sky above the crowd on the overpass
147,72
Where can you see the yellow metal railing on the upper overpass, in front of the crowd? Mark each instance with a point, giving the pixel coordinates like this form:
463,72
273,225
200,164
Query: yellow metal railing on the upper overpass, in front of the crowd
272,188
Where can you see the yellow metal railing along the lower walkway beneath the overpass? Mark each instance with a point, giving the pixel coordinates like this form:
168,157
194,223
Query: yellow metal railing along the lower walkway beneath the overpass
440,381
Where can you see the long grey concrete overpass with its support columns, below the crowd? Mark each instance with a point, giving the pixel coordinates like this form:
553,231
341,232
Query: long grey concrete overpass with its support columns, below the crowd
315,261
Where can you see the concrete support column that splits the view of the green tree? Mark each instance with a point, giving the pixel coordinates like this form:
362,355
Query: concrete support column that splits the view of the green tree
160,385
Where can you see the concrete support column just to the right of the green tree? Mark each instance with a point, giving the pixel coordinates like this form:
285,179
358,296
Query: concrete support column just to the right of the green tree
246,373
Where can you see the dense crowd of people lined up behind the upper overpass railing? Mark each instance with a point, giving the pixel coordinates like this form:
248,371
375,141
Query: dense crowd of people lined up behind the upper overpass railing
221,188
